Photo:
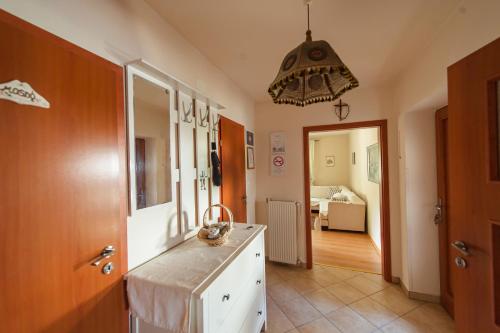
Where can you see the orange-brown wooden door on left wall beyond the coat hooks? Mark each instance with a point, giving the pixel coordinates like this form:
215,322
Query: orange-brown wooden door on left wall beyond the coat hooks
233,168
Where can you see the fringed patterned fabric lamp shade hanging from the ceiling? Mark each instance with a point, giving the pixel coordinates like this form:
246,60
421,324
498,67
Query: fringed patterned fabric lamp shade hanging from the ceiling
311,73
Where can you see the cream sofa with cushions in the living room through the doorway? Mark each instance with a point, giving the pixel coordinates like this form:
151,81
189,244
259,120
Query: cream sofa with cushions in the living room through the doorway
339,215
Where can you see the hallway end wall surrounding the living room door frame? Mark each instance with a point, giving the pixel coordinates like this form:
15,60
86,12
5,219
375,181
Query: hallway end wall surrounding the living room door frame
366,104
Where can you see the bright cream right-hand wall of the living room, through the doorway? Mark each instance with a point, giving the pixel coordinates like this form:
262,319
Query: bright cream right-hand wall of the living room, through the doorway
359,140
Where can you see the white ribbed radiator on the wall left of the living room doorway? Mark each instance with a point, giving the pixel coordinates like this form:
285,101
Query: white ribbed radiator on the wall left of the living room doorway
282,231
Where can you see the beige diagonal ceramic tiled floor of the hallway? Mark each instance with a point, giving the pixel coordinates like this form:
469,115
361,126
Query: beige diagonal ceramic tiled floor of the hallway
329,299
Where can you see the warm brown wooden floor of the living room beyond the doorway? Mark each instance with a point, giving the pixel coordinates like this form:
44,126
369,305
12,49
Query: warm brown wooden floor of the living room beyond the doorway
345,249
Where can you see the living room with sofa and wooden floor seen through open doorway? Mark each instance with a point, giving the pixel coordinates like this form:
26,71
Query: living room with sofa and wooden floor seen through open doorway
345,198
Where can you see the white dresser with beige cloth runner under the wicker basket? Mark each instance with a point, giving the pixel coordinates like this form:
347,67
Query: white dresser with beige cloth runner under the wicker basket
227,297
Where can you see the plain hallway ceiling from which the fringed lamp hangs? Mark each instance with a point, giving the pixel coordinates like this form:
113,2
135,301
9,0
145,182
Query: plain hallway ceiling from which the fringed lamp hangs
248,39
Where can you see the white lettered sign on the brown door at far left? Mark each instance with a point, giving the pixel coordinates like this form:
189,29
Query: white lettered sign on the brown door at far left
22,93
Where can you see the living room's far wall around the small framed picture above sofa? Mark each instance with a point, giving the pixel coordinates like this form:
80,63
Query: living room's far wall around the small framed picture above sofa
334,145
